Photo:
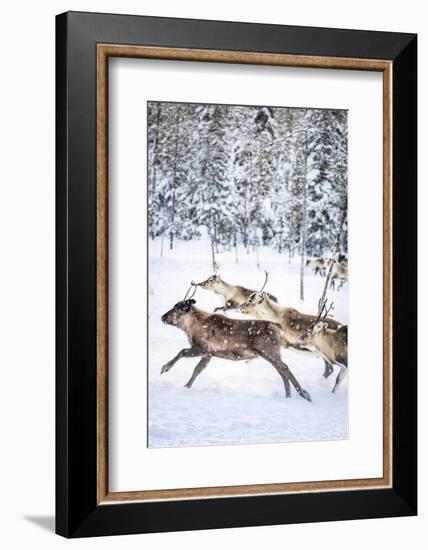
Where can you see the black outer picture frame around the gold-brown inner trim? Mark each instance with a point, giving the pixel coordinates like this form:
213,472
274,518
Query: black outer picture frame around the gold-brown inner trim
77,511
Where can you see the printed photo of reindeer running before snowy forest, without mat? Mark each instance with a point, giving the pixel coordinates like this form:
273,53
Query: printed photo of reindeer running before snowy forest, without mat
248,274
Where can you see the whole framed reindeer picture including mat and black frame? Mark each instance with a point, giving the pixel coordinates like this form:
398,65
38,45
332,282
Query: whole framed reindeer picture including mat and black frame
236,211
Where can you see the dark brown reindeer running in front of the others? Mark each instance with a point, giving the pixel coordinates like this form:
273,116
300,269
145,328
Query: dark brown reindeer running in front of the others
215,335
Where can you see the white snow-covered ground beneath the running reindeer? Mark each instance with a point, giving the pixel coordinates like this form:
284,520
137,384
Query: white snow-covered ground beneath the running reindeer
235,402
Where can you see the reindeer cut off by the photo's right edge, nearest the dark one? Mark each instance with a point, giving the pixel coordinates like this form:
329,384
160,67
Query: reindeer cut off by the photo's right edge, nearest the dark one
332,344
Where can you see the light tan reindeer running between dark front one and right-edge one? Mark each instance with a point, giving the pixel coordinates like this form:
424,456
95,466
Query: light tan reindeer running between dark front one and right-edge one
292,321
